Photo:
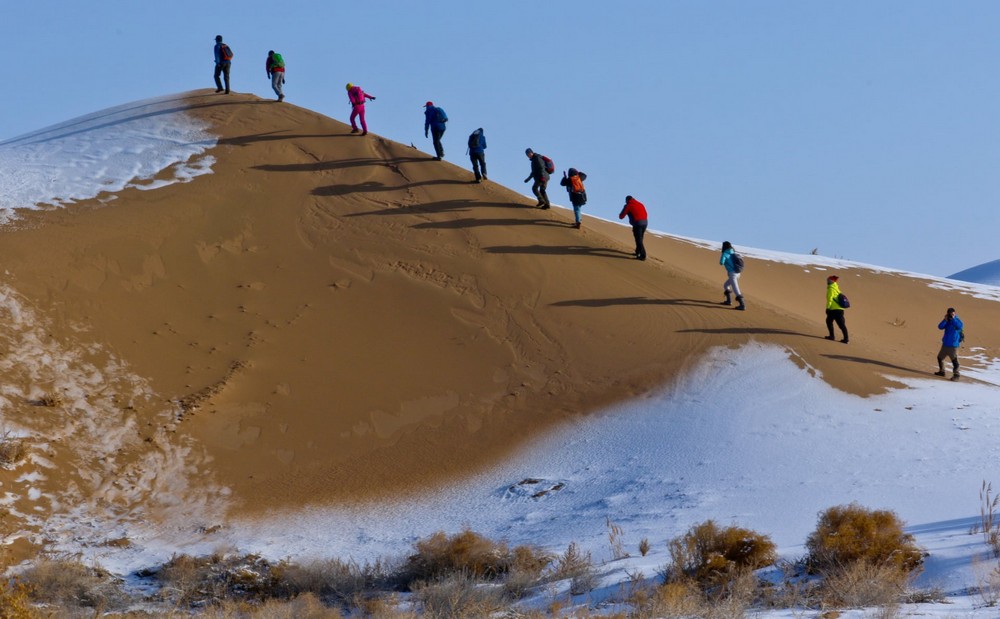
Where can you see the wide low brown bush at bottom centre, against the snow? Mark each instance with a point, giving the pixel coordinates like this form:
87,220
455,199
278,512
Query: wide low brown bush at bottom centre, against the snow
472,554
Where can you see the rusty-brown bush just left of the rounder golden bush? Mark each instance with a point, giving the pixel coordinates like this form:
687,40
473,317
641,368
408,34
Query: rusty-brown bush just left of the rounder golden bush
712,556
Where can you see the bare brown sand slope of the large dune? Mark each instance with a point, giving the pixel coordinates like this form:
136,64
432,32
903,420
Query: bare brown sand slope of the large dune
329,316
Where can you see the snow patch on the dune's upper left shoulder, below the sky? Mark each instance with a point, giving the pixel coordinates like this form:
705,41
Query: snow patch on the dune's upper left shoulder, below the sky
103,153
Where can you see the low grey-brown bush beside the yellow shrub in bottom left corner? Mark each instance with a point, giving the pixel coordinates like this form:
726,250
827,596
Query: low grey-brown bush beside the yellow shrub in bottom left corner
71,585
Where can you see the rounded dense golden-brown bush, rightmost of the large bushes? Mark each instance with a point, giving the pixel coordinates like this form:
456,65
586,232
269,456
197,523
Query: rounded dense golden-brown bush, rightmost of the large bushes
848,534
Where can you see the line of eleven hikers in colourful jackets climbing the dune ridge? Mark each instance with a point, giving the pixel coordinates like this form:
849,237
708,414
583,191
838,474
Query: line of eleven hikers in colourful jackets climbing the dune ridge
542,168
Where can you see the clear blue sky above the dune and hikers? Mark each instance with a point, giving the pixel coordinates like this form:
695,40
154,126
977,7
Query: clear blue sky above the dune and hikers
866,130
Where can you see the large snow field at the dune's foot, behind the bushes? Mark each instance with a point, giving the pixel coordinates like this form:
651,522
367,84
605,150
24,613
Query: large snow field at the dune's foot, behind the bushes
748,438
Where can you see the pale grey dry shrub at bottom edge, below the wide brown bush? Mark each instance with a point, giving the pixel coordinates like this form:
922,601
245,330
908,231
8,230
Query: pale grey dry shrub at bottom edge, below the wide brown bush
456,596
